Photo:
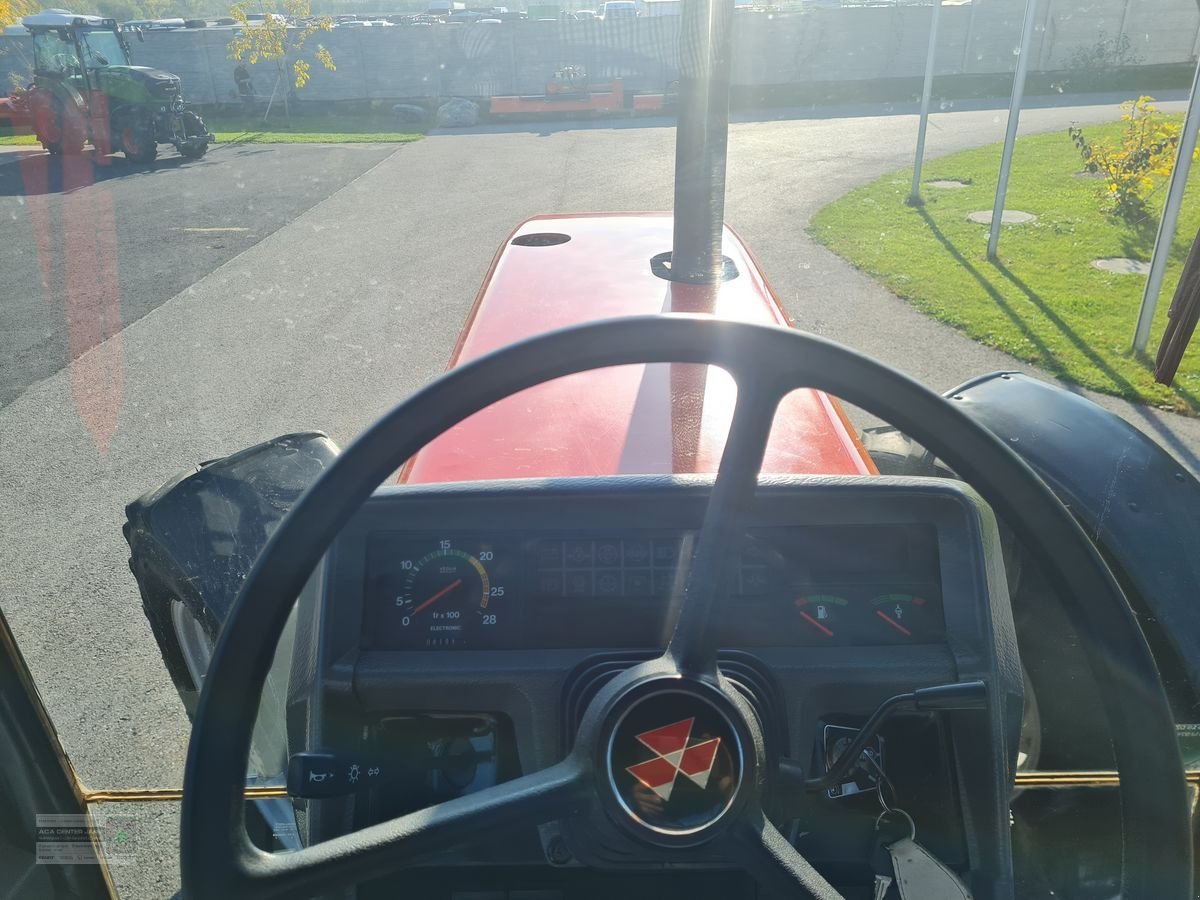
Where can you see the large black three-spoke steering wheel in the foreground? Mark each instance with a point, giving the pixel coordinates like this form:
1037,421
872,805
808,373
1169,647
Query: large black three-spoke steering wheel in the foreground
219,860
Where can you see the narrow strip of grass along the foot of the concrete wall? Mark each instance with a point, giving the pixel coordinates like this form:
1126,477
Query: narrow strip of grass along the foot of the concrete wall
302,130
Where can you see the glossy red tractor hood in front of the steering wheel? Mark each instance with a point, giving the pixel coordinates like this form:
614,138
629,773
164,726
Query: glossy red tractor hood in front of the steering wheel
655,419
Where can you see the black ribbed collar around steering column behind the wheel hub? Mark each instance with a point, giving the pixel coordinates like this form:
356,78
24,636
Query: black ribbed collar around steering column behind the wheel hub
745,671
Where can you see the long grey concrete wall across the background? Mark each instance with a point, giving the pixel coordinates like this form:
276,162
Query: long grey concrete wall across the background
837,45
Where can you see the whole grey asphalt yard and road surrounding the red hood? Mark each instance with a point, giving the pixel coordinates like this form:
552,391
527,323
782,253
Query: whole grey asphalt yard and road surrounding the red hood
346,296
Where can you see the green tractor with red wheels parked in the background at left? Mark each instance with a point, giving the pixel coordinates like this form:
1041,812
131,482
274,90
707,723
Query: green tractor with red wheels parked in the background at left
86,89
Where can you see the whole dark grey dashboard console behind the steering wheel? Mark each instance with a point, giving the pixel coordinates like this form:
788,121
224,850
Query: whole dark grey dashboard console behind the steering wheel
458,633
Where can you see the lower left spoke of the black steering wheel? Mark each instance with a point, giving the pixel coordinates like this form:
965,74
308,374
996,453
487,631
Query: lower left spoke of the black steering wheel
557,793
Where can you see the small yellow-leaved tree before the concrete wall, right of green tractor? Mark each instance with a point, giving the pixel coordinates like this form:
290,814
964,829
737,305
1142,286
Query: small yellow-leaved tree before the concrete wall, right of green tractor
275,39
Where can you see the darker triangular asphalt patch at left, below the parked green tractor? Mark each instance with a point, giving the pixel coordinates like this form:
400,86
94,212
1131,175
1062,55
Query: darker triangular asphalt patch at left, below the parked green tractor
153,230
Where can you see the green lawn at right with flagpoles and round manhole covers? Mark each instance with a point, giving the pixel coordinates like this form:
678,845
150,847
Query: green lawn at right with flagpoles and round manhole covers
1042,302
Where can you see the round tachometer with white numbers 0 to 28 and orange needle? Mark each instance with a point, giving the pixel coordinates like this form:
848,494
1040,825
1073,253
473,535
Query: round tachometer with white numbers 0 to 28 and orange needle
447,598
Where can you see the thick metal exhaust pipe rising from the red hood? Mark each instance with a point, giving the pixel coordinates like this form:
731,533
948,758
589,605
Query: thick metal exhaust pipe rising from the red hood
703,140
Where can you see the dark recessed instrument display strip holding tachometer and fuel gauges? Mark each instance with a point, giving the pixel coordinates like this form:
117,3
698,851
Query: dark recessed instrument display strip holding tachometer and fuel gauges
860,586
